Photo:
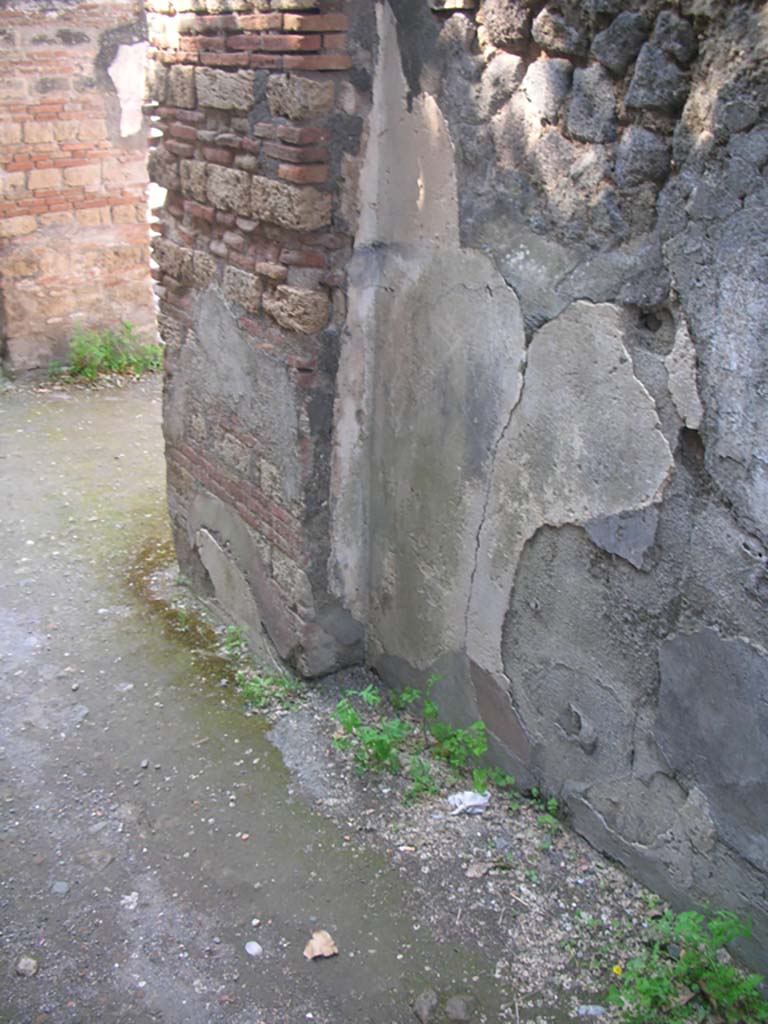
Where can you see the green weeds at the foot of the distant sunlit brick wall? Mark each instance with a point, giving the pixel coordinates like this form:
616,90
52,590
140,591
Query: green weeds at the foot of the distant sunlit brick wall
95,353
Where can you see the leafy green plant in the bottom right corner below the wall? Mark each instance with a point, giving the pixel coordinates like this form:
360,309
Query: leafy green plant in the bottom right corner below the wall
684,976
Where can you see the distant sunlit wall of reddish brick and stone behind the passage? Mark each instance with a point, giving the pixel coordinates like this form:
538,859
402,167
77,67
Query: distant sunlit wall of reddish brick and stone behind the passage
74,245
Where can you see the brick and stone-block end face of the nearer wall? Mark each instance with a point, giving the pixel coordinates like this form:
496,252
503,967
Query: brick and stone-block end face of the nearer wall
251,249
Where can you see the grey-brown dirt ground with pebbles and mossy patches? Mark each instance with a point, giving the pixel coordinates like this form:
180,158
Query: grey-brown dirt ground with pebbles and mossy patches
150,829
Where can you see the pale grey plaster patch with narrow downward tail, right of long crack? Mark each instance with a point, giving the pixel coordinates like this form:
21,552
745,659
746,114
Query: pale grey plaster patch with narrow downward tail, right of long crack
584,443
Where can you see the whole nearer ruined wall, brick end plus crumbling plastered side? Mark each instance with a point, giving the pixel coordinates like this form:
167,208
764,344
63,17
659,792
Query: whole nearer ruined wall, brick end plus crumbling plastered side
467,375
